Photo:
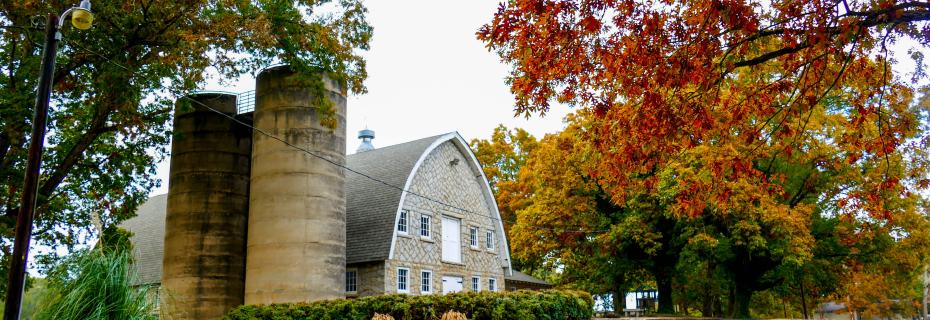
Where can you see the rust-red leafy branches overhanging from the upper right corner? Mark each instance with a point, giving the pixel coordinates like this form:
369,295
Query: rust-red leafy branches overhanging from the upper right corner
670,77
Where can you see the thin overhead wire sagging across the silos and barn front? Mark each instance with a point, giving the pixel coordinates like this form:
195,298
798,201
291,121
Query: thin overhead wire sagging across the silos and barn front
311,153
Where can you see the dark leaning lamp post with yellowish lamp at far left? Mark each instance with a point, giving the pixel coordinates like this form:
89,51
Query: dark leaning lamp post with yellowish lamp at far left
81,18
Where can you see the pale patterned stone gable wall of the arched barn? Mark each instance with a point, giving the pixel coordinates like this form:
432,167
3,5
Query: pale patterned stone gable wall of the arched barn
446,175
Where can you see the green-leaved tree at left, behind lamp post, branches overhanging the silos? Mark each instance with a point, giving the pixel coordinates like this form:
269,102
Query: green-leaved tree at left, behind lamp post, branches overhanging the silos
115,87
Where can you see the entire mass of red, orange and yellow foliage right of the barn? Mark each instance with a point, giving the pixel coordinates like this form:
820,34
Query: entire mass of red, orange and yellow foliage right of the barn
775,136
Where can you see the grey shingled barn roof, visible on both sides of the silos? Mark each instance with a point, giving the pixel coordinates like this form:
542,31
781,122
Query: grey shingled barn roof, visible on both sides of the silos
371,208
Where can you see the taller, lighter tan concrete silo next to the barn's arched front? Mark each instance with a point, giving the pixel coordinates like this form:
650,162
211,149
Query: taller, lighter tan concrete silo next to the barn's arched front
296,240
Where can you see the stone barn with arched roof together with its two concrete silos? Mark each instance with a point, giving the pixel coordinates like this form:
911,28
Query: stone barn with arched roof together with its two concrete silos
264,206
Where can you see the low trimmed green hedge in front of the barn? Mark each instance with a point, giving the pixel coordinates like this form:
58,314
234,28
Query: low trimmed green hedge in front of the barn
517,305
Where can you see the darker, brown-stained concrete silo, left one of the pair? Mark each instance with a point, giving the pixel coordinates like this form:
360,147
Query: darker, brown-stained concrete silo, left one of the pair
207,211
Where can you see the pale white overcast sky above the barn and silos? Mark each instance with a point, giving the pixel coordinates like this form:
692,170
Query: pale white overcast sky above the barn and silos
427,75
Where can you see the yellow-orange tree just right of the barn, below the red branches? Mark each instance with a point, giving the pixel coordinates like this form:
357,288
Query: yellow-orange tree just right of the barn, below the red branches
568,223
